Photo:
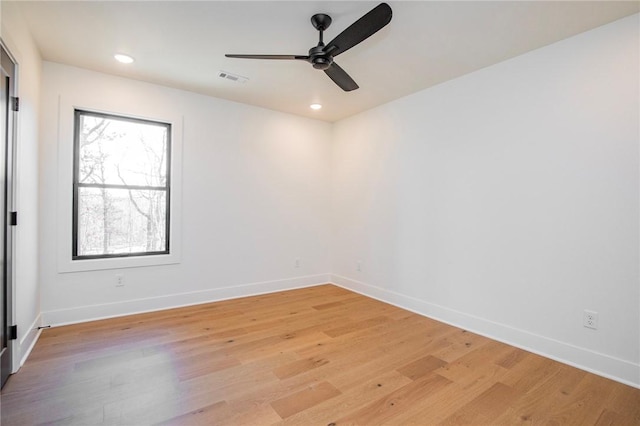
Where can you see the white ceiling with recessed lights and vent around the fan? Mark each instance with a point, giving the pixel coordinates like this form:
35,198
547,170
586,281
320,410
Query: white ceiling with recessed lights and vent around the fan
182,44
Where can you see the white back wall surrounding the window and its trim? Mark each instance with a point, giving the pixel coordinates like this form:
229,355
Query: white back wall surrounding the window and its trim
255,189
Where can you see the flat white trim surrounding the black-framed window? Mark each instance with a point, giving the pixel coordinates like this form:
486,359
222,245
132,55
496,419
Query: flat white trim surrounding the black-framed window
66,108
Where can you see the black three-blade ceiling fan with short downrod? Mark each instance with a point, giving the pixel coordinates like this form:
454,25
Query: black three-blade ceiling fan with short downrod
321,56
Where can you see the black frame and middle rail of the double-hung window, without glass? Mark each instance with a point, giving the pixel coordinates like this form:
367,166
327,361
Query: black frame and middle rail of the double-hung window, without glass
78,113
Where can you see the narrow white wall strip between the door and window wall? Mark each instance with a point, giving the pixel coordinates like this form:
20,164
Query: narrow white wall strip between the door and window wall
26,288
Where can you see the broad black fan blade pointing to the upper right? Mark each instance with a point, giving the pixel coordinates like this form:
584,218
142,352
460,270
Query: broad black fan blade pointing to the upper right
360,30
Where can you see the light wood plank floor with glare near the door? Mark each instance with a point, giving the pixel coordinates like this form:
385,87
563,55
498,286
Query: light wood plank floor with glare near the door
316,356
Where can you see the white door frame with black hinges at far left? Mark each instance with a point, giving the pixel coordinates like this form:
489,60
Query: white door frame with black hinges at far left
10,207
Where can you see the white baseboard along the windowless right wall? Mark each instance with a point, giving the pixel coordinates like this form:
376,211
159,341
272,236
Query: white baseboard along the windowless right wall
601,364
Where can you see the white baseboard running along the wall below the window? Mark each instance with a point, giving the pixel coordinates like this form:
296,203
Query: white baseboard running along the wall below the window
136,306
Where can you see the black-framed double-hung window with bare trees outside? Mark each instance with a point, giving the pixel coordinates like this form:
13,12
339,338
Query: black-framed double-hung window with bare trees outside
121,186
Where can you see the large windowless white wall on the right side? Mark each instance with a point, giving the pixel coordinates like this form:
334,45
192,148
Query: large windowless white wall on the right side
506,201
